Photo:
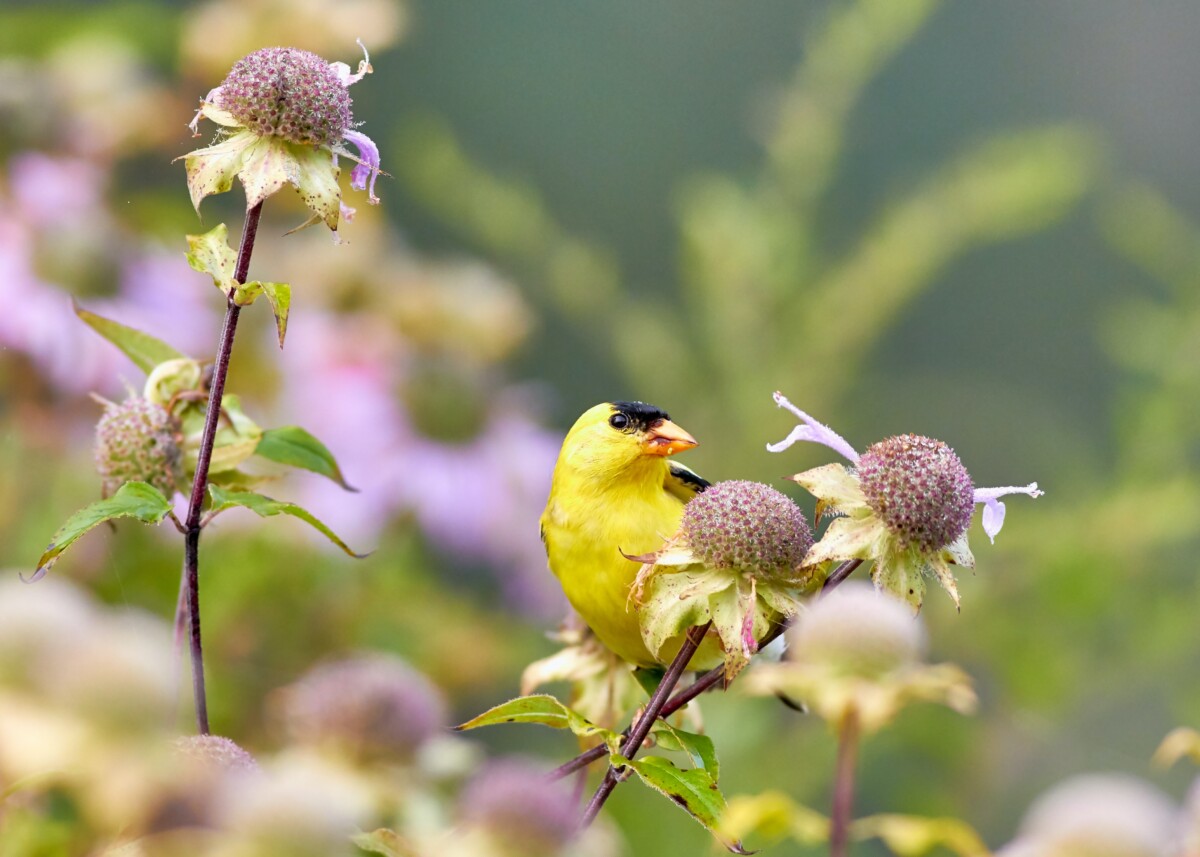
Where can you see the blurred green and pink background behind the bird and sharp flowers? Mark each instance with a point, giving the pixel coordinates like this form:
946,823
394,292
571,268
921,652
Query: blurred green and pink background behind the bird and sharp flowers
975,223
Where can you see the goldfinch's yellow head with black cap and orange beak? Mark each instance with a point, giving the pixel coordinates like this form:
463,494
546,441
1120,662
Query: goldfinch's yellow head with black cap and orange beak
619,435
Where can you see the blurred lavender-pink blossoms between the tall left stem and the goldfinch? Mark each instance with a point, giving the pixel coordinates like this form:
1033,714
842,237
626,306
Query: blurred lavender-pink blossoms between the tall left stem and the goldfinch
479,500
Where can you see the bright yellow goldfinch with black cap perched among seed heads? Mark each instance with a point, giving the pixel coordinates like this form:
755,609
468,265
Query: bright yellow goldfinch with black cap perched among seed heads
616,494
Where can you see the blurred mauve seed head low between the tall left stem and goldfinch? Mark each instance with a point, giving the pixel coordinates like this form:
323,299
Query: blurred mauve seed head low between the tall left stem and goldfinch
367,706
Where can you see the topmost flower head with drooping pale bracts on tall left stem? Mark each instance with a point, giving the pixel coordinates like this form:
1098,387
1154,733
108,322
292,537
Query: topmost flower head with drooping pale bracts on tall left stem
286,119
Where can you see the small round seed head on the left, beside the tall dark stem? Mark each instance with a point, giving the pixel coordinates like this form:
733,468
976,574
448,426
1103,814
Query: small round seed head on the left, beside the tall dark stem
139,441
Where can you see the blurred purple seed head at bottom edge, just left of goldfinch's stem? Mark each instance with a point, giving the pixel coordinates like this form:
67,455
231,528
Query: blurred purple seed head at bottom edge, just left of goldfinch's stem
527,816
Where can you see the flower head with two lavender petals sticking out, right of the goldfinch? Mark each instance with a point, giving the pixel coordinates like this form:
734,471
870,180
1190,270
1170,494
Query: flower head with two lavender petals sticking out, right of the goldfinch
907,505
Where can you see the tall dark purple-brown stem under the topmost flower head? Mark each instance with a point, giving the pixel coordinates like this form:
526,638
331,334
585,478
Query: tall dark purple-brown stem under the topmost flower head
203,462
